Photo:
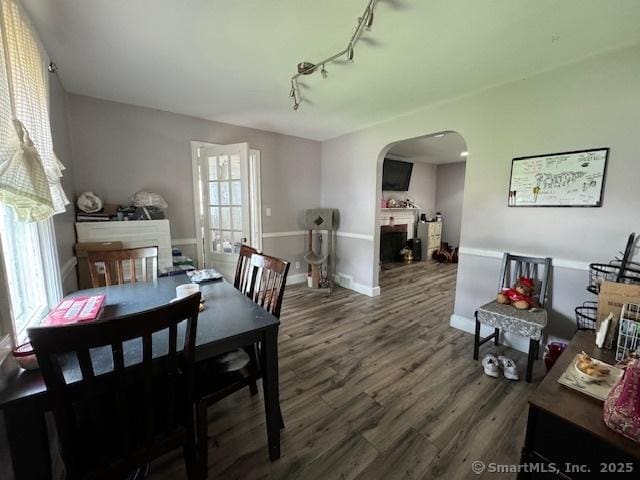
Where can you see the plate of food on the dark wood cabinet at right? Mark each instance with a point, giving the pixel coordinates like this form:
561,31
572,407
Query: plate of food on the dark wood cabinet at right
590,376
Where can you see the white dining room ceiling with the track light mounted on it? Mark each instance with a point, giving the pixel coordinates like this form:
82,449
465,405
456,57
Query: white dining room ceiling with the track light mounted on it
231,60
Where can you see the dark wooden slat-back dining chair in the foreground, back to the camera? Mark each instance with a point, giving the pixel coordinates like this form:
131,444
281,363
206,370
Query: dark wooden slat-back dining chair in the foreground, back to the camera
121,390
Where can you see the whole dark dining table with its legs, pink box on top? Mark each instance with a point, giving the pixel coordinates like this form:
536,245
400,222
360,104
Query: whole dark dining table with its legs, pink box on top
230,320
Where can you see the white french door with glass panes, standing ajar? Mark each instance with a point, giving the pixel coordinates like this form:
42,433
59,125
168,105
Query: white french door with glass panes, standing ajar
223,194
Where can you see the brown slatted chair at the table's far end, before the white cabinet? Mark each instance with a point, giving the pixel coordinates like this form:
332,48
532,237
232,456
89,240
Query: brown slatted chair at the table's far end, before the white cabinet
124,264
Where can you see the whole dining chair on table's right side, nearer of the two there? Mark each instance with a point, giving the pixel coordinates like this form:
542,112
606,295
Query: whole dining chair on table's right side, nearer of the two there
218,379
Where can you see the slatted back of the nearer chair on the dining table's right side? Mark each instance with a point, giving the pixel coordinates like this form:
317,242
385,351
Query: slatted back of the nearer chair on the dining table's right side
268,280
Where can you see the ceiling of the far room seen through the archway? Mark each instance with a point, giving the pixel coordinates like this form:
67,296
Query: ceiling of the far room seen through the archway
435,149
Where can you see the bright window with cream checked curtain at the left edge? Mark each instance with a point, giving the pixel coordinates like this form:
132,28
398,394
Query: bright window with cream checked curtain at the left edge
30,190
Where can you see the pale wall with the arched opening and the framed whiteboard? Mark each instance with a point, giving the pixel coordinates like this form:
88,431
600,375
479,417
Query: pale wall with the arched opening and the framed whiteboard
595,103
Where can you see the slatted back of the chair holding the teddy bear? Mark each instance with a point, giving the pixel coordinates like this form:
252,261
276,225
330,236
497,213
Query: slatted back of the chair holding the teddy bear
536,268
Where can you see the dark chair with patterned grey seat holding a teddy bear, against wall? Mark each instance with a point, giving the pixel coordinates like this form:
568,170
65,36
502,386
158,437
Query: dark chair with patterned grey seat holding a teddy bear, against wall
526,323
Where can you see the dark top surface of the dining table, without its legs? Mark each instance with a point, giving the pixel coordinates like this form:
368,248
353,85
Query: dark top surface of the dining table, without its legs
228,319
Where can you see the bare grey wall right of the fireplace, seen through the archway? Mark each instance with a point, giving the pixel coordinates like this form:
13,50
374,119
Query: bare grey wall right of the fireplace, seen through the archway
449,198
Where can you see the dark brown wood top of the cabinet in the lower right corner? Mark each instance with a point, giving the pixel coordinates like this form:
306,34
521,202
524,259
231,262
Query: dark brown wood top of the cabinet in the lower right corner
581,410
